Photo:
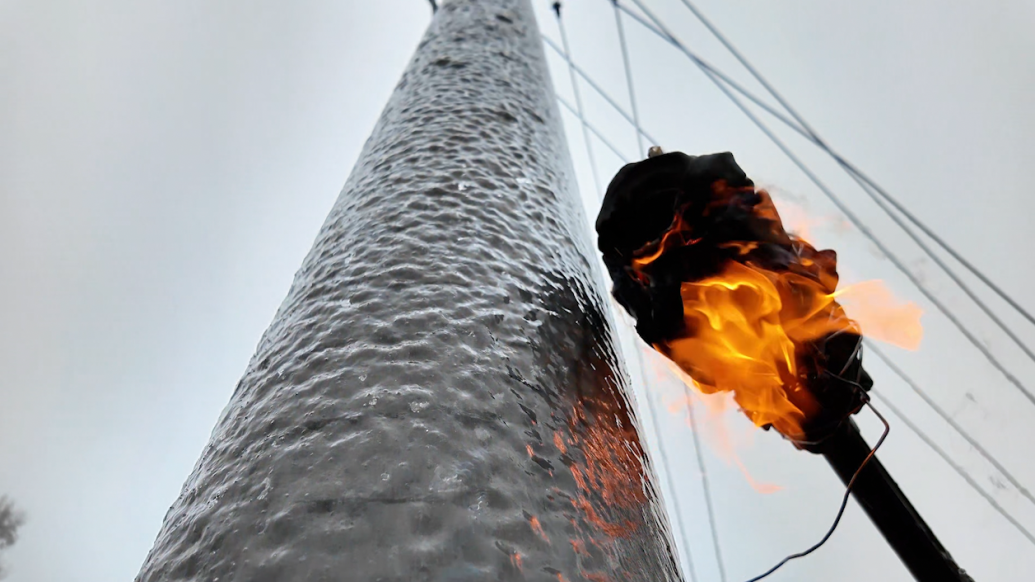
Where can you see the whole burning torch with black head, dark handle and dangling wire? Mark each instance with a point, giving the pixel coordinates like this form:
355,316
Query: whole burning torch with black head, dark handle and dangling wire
700,258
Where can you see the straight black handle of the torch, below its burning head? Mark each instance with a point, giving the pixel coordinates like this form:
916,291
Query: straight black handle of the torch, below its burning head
891,511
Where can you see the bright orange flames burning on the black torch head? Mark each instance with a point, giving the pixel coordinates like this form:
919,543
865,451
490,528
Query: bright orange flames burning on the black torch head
748,327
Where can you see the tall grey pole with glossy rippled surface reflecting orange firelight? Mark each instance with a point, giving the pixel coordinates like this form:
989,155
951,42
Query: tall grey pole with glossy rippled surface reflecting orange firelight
439,397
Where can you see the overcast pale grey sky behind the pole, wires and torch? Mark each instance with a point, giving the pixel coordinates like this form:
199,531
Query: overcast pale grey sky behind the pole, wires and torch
166,166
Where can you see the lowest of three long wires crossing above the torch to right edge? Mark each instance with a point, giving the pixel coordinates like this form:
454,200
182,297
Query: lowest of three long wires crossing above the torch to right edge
666,35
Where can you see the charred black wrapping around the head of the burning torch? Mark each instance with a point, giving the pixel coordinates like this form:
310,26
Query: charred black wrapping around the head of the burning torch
716,205
